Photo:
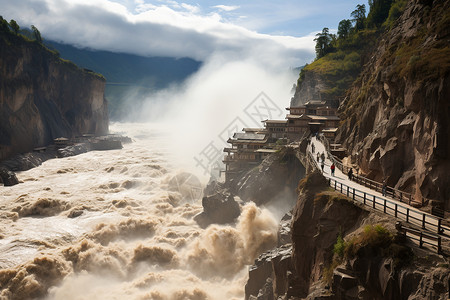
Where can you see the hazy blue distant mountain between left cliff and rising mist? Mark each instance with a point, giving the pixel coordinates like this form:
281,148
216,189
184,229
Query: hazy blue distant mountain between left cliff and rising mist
128,74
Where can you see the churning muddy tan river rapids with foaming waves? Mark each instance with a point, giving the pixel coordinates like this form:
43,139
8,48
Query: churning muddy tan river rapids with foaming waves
135,237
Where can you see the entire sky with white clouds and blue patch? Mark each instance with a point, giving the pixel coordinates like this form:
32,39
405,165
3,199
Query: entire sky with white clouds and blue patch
277,32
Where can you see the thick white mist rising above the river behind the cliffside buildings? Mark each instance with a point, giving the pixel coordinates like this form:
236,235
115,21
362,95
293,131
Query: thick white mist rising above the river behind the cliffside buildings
224,96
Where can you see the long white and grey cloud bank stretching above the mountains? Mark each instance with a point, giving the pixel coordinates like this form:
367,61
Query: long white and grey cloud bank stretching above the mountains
166,29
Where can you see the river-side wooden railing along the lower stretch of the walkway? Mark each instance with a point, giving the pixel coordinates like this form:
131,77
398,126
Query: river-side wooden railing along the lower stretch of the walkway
412,216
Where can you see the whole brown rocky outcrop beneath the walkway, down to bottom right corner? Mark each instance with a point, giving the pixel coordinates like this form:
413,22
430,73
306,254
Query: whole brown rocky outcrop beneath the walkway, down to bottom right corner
381,267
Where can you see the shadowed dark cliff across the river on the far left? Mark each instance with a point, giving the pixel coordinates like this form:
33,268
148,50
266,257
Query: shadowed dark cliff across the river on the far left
43,97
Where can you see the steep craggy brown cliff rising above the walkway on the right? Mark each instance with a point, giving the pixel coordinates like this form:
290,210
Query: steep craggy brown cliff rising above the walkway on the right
396,116
